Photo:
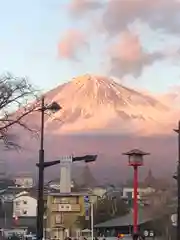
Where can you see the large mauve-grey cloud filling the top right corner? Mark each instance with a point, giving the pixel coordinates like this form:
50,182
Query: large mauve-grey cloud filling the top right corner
159,14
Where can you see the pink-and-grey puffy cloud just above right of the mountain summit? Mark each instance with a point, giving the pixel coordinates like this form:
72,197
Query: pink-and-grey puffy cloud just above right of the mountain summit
129,57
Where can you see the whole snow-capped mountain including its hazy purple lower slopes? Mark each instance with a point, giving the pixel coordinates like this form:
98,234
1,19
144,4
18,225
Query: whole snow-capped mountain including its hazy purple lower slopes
101,116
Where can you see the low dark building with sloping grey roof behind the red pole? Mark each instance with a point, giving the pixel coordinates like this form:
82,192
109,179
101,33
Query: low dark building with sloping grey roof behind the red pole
124,224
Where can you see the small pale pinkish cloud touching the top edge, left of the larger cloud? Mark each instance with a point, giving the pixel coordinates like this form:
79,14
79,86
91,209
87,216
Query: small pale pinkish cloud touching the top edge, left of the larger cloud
79,7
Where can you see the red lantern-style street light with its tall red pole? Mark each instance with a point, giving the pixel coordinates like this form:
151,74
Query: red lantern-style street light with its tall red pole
135,161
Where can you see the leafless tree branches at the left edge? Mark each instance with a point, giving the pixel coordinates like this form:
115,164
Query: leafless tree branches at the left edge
18,99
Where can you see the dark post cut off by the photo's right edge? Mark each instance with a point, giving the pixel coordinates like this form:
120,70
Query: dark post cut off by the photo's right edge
178,182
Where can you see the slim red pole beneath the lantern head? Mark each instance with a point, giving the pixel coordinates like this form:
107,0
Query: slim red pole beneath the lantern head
135,227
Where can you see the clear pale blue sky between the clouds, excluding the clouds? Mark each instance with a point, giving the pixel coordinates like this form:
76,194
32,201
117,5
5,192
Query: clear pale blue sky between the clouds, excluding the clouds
31,30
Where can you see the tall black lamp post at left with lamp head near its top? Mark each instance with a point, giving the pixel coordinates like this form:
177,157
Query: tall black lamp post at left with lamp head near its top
54,107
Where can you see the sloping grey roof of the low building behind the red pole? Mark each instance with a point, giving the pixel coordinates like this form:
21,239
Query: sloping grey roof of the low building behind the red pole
127,220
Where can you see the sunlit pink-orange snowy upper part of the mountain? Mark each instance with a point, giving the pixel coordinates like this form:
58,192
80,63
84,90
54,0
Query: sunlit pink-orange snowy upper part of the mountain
96,103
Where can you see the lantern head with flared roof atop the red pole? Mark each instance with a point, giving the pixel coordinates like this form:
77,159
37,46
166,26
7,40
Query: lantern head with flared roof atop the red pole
136,157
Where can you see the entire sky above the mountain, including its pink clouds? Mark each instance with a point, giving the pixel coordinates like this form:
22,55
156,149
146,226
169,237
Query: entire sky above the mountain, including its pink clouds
52,41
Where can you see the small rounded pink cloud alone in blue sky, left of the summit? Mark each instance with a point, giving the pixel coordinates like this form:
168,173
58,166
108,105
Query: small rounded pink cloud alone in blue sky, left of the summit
71,43
